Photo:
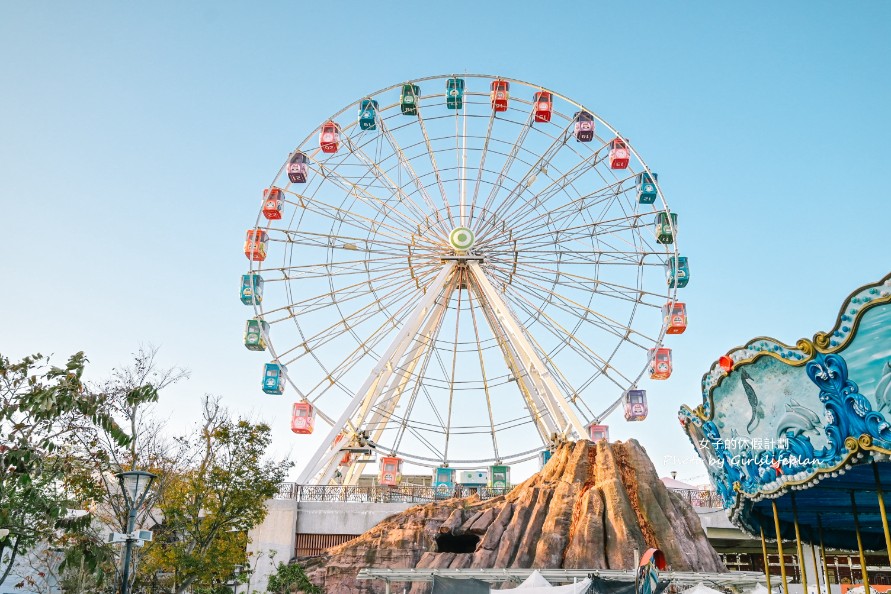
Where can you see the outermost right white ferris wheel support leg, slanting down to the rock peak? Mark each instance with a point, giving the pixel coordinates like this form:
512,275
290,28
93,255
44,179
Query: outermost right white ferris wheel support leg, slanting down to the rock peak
533,366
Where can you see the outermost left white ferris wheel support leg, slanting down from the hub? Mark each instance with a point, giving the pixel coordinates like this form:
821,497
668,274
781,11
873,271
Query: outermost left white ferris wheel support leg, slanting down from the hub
378,377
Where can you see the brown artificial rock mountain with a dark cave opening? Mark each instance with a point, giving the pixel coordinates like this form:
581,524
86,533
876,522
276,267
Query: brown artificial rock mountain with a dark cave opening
591,506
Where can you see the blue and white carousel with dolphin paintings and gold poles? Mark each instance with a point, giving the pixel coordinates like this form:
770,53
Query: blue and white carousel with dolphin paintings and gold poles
797,439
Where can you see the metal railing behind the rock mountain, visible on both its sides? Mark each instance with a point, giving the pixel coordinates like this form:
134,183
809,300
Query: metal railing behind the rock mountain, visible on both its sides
425,494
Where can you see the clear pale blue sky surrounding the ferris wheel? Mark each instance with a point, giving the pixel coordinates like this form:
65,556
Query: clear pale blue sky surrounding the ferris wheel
136,138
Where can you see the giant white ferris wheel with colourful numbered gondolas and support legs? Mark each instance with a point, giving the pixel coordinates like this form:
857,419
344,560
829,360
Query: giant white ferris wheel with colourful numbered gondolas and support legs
460,271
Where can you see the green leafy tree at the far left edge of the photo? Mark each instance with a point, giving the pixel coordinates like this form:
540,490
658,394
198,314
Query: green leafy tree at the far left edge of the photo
44,474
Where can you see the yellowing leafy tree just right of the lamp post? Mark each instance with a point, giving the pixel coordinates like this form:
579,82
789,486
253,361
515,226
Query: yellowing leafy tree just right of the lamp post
215,497
